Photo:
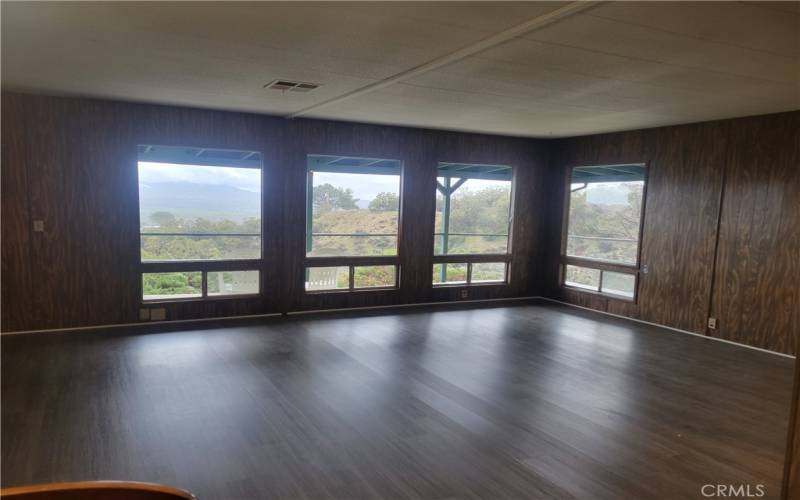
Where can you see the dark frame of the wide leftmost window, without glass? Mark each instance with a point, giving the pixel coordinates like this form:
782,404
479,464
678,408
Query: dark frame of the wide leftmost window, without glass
204,266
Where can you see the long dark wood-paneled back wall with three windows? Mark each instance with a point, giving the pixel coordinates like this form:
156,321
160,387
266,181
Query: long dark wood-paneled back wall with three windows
72,163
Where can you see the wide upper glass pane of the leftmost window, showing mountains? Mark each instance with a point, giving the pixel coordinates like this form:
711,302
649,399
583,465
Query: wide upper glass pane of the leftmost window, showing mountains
199,204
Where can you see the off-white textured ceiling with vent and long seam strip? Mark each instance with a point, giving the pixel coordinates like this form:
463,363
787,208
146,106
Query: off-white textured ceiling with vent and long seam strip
615,66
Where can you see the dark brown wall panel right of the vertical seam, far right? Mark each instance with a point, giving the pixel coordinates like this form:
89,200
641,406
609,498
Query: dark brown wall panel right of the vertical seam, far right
756,295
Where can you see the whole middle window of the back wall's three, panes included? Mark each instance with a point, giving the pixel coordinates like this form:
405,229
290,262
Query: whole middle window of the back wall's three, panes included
352,223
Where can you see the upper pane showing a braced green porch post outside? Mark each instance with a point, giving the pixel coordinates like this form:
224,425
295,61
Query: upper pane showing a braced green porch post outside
473,209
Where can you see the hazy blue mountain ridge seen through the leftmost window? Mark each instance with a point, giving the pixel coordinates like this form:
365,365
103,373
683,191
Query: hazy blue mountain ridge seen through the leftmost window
189,200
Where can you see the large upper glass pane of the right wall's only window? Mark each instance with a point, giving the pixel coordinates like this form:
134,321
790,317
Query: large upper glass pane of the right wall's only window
605,210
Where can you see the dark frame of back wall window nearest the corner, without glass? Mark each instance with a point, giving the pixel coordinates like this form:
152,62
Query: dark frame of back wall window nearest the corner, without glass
470,258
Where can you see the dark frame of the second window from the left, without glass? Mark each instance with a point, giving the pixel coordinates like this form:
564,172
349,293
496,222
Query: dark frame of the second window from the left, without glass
352,262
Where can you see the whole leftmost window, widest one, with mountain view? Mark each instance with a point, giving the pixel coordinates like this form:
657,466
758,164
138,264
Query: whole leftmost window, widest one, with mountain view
203,206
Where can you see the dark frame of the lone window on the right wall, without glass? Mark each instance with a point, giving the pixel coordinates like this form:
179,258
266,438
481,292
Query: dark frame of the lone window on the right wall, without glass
601,264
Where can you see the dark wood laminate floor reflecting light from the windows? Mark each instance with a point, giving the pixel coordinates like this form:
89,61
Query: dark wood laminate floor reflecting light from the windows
521,401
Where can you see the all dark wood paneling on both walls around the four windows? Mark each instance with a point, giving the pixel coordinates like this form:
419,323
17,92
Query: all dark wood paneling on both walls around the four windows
722,218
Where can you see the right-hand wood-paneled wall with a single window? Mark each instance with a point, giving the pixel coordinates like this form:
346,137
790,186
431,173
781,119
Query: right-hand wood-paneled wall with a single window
722,226
